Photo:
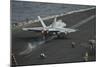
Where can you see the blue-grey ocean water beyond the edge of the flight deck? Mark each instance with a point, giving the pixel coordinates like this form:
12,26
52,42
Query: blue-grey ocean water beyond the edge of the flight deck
22,10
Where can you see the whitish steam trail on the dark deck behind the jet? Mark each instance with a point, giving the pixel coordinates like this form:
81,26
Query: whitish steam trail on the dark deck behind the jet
34,45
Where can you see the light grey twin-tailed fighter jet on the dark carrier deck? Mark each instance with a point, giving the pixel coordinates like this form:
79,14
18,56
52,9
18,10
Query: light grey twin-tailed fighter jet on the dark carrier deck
56,28
